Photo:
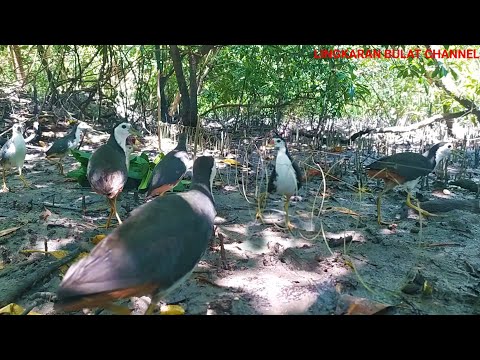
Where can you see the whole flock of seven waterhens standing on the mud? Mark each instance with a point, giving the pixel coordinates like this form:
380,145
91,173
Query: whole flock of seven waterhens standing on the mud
158,246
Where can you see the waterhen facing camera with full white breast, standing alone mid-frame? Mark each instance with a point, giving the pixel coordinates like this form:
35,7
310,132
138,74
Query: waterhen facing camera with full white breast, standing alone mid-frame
286,177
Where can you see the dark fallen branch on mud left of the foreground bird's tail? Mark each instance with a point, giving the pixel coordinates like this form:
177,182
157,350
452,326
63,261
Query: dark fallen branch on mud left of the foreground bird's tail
8,296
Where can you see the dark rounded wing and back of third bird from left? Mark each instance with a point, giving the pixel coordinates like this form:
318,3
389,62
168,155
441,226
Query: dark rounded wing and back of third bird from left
107,170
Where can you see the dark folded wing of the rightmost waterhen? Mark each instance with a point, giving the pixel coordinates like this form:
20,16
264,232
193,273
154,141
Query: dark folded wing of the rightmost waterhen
410,166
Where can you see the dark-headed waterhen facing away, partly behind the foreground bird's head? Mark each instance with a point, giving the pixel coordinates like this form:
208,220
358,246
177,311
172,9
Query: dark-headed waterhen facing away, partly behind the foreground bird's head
170,170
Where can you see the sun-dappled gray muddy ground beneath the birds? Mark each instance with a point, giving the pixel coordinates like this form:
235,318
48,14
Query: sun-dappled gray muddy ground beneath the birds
427,267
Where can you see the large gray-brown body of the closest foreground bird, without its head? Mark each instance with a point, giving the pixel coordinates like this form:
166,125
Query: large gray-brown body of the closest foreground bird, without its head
150,247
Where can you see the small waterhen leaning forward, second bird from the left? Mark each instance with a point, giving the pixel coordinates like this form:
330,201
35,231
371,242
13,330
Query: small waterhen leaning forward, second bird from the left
62,146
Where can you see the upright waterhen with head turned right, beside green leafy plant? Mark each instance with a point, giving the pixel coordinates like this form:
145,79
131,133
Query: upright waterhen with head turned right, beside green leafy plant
107,169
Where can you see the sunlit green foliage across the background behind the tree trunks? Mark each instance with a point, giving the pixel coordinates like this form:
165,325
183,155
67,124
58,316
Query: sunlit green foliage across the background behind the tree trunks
250,81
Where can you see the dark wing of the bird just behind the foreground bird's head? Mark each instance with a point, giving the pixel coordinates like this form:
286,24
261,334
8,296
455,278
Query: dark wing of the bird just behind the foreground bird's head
169,170
